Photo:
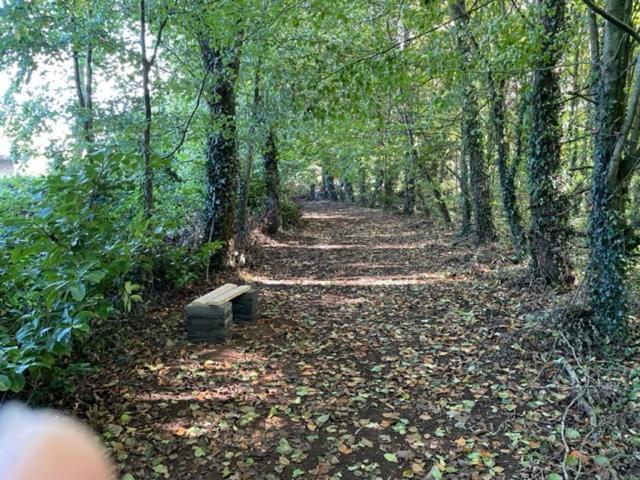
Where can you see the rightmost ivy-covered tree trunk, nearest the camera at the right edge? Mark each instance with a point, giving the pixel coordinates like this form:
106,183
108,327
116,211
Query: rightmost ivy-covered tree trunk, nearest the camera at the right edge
607,262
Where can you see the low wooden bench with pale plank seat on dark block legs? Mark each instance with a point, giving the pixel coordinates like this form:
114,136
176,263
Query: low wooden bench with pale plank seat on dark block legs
210,318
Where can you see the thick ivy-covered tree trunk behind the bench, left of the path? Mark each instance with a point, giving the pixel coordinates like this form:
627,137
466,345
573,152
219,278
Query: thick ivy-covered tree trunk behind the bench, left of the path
221,156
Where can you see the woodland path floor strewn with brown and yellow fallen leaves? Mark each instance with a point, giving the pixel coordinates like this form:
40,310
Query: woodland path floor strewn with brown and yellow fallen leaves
384,351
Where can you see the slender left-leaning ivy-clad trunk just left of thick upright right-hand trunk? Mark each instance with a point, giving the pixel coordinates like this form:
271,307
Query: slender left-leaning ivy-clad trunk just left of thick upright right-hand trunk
507,175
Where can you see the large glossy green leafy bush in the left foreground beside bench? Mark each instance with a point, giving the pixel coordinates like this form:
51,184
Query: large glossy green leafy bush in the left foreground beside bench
75,247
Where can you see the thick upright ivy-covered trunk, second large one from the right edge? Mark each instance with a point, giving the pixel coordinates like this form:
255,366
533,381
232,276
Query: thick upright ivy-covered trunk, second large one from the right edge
548,207
